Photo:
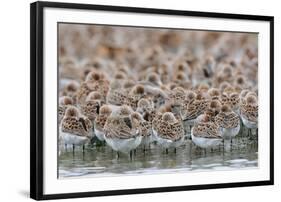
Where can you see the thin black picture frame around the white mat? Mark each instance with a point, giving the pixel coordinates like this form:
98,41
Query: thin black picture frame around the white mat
36,99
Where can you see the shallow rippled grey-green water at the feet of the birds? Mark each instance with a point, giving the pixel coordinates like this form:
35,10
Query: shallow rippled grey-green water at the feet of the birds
103,161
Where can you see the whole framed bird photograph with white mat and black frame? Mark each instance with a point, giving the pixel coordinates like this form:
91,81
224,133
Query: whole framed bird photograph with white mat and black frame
136,100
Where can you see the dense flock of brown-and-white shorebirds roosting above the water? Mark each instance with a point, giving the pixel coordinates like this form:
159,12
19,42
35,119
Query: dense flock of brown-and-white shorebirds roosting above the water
131,87
